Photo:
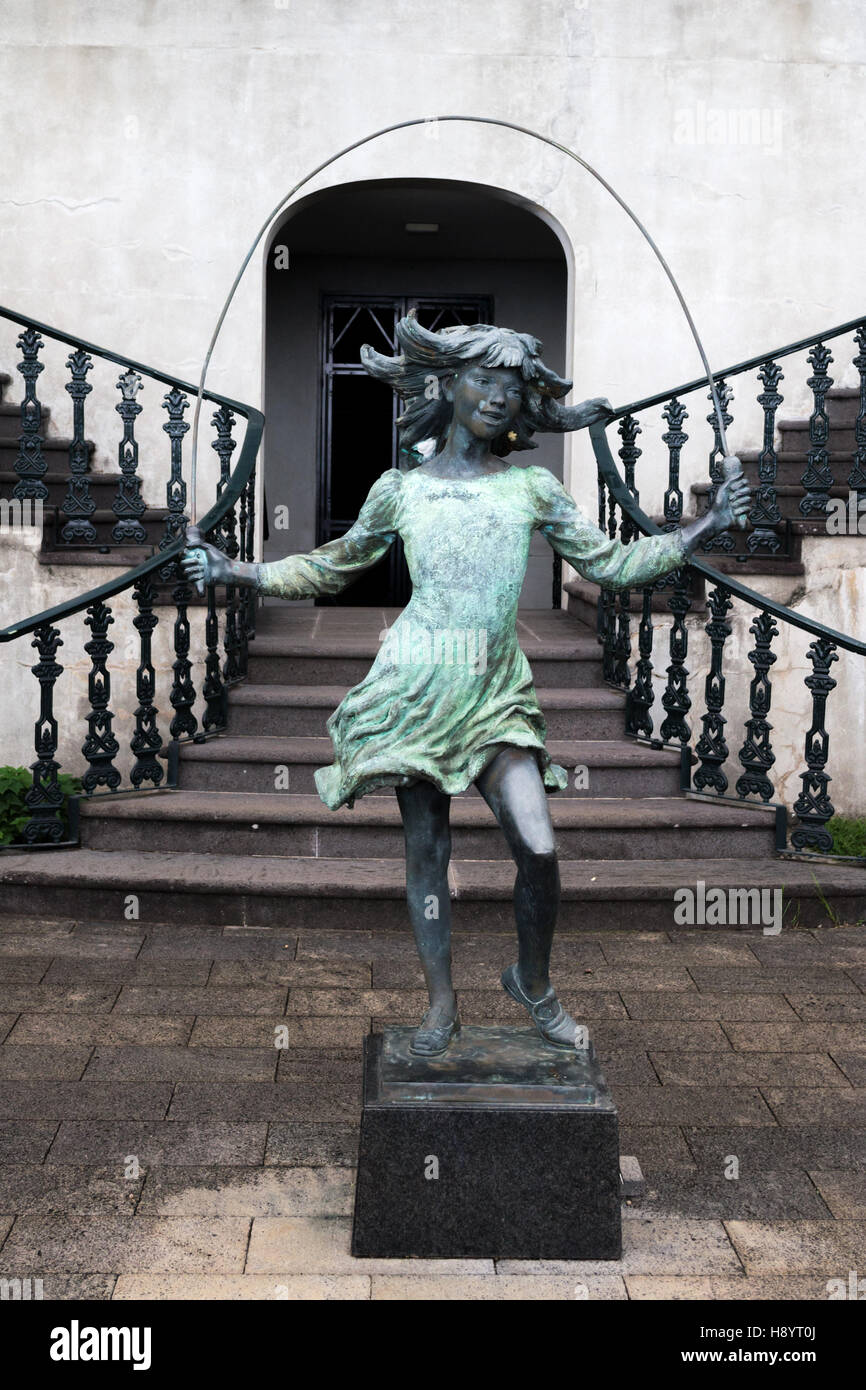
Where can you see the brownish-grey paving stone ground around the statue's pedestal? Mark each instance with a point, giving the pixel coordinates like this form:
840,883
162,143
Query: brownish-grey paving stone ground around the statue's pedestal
156,1143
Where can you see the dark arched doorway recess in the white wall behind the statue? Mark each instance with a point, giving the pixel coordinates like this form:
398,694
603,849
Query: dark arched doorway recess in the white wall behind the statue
341,269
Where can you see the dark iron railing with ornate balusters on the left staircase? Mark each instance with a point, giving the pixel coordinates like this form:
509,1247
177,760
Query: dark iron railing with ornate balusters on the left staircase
199,704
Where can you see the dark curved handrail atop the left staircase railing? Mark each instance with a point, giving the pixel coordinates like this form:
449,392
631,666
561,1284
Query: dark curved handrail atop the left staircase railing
234,487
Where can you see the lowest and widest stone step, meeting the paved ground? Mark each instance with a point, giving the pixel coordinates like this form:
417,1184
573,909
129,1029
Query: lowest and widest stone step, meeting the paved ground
365,894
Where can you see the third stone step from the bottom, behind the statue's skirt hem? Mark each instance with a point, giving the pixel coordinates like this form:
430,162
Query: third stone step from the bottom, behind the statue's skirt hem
233,764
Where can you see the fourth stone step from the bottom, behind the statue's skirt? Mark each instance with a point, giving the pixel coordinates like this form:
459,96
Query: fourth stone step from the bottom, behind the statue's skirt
305,710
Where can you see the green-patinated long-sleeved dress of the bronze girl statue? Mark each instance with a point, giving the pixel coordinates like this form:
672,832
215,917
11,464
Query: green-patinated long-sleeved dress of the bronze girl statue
451,685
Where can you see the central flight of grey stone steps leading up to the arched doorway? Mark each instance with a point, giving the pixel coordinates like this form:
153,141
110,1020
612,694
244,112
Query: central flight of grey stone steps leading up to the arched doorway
229,849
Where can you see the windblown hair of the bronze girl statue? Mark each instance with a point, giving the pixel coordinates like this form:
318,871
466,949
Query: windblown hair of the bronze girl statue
427,358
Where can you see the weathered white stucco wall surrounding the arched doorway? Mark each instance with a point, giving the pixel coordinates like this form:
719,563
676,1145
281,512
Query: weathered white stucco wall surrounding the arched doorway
145,144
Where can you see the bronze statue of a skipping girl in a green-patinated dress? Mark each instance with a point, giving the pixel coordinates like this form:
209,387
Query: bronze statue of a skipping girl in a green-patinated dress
432,728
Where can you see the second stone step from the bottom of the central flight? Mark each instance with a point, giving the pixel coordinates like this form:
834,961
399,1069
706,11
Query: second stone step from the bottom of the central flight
284,825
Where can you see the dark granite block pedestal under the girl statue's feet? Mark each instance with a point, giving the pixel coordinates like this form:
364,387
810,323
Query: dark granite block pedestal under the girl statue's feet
501,1149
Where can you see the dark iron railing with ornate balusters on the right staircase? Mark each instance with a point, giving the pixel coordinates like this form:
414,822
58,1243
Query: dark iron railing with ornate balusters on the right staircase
704,767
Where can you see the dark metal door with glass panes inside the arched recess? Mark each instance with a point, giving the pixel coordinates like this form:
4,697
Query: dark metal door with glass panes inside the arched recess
358,436
